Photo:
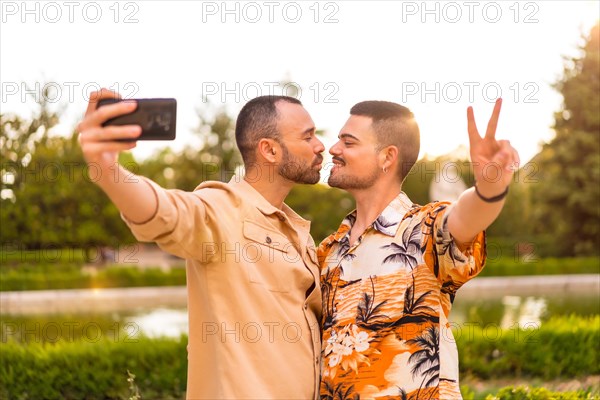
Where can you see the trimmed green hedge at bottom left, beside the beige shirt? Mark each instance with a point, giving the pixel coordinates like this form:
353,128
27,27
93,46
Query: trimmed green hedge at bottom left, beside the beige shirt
85,370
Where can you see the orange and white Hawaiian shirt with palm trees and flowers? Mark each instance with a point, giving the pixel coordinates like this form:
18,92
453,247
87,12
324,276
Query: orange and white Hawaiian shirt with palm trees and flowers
386,302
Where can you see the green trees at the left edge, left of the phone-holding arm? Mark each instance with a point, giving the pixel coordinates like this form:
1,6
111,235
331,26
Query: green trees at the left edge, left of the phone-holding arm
49,199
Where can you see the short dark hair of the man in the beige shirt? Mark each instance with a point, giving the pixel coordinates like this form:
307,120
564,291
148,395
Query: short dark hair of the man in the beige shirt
258,120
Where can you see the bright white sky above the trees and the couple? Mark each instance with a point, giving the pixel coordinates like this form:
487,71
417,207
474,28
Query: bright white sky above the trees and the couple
436,63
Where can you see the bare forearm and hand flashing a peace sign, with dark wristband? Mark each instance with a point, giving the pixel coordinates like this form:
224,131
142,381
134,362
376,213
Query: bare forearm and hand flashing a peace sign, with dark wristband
494,162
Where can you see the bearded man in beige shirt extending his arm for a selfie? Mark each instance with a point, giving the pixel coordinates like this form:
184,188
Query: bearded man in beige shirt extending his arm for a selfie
254,299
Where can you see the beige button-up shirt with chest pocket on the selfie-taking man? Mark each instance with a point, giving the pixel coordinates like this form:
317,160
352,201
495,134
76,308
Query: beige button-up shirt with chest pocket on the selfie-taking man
254,299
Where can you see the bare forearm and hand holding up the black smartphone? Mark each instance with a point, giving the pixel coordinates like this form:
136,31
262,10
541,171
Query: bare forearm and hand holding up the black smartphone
132,195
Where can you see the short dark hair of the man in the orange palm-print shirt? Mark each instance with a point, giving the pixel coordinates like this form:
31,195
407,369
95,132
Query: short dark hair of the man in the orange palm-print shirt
393,124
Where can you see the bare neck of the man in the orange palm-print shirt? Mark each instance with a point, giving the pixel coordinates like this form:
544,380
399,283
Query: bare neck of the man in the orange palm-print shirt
371,202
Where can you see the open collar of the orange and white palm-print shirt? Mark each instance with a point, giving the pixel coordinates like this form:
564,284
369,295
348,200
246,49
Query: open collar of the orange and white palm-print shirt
386,223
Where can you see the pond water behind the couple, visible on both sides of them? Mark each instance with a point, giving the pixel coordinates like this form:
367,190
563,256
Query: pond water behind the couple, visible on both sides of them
502,311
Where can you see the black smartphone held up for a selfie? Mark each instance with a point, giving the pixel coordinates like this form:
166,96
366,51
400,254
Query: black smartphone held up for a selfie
157,118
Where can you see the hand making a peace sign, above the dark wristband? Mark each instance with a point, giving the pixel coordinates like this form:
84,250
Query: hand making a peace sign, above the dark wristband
494,161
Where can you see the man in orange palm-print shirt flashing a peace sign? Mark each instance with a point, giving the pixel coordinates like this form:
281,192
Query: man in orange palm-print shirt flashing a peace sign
390,273
